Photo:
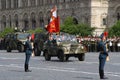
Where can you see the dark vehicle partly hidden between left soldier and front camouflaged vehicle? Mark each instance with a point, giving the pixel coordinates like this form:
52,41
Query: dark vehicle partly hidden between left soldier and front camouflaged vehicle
39,39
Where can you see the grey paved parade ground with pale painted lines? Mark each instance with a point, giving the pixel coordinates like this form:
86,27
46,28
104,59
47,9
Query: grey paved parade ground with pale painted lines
12,67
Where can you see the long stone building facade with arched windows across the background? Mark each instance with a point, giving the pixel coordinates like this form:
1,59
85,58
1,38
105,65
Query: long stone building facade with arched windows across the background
30,14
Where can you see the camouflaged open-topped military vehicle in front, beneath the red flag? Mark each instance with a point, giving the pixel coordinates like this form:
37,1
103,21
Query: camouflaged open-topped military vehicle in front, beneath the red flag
64,47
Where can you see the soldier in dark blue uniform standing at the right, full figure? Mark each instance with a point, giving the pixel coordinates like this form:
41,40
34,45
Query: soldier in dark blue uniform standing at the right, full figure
102,56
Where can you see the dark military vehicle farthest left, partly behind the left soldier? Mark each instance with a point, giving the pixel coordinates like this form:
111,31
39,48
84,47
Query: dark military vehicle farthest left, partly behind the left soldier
16,41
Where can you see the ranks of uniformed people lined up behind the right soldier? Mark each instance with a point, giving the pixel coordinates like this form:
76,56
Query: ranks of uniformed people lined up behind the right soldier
91,43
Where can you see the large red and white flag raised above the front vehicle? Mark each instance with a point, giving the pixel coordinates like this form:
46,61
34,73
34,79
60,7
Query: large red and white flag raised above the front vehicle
53,26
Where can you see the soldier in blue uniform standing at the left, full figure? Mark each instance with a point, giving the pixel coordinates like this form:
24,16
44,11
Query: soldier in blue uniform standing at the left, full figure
28,53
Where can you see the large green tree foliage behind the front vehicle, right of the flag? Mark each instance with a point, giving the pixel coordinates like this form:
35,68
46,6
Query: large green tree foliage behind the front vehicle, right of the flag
77,29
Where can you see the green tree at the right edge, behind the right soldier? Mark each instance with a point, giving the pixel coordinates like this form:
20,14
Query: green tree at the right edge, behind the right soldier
115,30
